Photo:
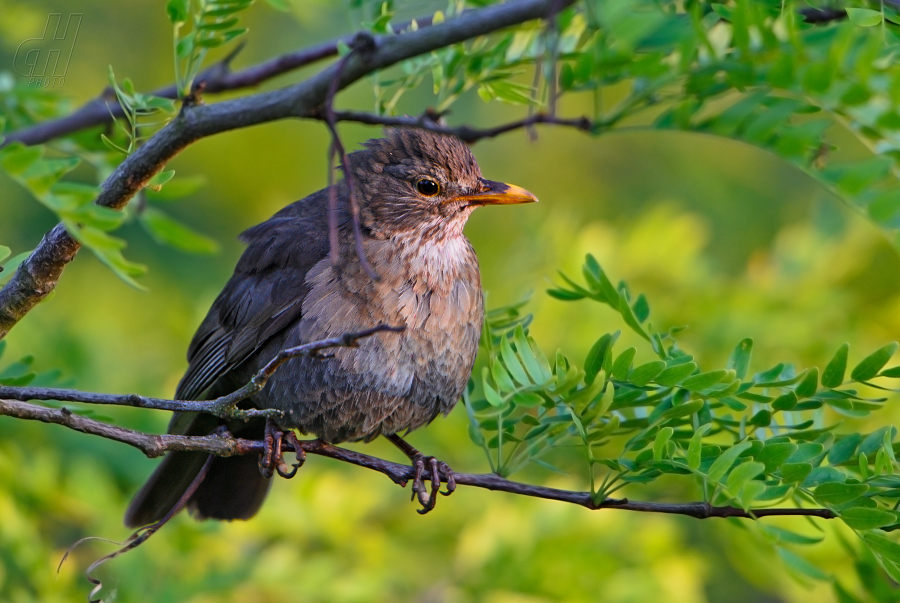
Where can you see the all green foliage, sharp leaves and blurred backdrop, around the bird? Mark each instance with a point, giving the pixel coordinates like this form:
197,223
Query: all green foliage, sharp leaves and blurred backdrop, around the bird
718,250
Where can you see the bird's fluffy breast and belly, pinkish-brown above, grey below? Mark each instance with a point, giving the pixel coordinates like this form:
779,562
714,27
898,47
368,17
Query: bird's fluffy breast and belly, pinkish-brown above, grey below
392,381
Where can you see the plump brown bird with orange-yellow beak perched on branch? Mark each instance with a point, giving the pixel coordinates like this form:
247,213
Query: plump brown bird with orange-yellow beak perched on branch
382,246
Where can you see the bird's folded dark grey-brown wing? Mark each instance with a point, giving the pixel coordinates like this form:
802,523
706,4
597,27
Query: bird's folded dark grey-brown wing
264,295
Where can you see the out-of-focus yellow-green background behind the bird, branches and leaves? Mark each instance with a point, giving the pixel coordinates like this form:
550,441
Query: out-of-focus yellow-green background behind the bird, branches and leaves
720,237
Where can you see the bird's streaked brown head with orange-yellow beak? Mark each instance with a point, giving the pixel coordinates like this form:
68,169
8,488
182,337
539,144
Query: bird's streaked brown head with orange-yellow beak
419,181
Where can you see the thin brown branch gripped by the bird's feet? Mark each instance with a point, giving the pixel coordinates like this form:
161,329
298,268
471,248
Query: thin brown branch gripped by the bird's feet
156,445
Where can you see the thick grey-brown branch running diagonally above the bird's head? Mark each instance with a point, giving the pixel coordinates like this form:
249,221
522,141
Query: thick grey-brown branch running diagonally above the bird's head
38,274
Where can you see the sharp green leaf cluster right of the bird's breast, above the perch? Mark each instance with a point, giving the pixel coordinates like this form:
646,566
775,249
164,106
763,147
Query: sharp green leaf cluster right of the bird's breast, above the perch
745,438
